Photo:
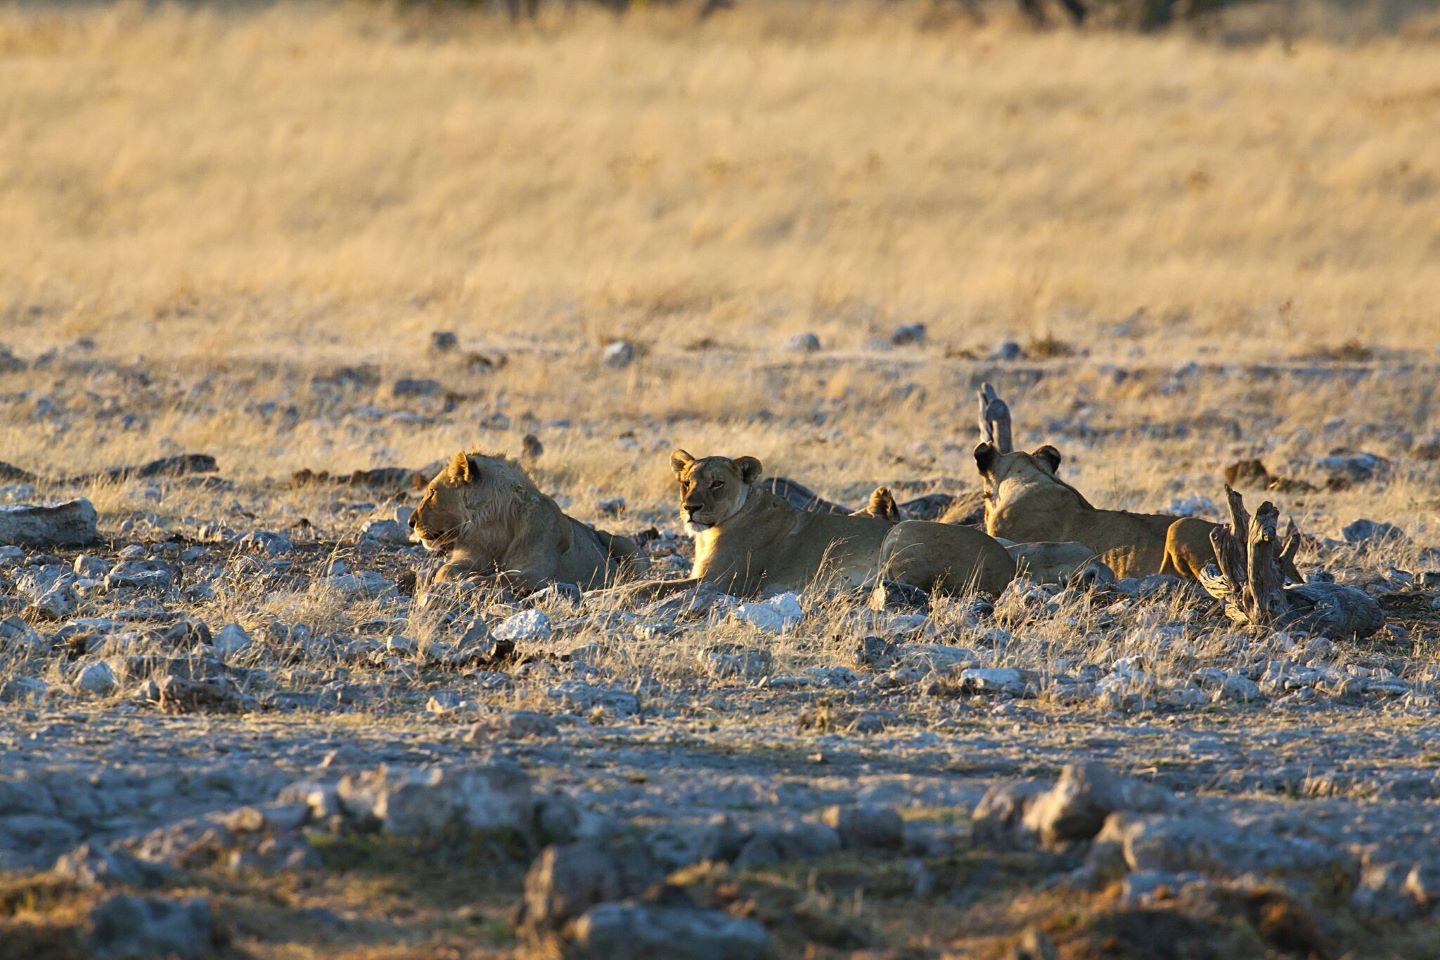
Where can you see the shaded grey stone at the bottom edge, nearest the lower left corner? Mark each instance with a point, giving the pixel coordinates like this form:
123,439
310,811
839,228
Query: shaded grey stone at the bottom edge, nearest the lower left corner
132,928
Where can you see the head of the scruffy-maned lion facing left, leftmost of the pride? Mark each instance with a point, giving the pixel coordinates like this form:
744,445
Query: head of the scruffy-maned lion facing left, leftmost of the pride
473,494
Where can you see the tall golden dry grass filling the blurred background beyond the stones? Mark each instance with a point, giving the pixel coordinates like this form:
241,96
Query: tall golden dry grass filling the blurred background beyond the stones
326,182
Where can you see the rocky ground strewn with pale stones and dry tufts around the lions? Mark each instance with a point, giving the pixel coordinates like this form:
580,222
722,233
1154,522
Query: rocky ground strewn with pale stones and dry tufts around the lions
241,722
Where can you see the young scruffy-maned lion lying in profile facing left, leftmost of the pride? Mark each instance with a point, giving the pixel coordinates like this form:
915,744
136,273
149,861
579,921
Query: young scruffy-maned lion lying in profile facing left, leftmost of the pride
487,517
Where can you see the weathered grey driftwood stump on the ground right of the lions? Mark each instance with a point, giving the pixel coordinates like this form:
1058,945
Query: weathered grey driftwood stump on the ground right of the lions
1246,578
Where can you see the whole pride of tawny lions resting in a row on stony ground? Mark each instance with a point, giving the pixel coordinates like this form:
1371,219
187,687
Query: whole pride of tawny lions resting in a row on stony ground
489,519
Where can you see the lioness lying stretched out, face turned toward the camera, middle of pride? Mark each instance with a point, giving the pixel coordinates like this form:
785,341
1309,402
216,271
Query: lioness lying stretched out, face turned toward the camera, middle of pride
754,543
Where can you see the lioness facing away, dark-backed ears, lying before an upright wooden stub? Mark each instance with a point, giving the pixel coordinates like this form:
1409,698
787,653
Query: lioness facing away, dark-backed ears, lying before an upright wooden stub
1027,502
